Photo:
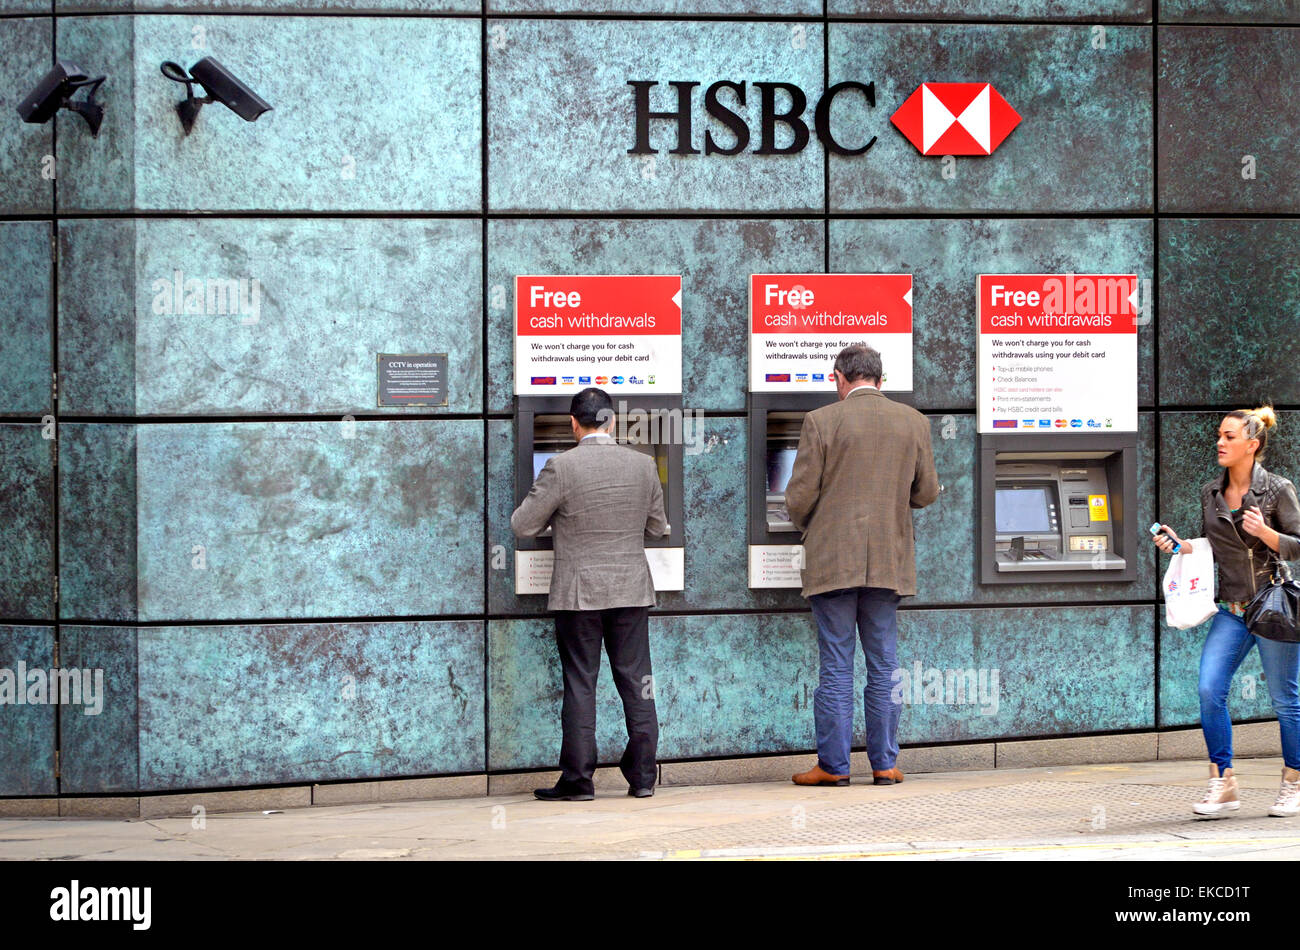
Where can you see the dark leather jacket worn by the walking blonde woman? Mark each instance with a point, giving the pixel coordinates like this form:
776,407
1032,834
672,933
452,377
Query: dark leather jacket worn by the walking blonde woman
1245,562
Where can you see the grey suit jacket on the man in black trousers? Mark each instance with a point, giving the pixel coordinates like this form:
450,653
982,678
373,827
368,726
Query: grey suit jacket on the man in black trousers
603,501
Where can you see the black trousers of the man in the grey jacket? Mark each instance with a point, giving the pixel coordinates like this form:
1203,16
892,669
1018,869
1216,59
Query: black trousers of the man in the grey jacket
626,632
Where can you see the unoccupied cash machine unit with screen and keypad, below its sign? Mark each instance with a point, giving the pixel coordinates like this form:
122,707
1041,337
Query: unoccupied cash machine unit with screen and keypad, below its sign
1058,510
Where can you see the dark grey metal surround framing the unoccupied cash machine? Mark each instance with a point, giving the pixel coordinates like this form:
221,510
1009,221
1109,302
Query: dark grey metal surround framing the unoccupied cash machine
1119,456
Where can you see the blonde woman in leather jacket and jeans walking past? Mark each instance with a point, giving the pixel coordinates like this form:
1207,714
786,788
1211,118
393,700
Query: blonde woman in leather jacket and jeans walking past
1251,519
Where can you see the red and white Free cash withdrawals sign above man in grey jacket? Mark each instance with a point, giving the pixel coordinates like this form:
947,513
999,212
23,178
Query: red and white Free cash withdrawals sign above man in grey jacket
618,332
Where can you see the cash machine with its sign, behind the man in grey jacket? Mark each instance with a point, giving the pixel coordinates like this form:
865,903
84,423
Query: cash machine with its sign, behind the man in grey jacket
640,371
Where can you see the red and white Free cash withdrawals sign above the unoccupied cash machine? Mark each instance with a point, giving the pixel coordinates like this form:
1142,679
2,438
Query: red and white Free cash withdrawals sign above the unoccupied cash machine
1058,353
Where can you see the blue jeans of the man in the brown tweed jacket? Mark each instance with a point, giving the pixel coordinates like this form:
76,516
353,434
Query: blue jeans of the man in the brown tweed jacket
872,614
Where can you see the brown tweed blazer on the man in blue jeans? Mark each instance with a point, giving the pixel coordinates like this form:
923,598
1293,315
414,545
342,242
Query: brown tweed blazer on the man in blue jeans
864,465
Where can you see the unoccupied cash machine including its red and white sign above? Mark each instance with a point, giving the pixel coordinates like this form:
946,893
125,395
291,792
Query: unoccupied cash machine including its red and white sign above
1058,488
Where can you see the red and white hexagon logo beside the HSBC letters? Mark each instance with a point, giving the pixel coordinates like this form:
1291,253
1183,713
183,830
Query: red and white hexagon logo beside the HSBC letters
956,119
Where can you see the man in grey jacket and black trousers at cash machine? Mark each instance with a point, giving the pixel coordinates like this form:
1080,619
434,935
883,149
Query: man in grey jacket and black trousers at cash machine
603,502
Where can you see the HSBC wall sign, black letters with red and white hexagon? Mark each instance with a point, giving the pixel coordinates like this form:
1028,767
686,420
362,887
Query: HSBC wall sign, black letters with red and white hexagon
939,119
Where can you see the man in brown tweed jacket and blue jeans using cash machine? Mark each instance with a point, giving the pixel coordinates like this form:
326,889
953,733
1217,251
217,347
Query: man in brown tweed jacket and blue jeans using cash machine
864,465
